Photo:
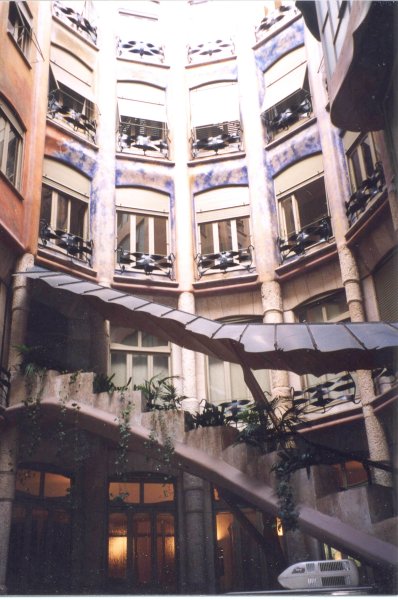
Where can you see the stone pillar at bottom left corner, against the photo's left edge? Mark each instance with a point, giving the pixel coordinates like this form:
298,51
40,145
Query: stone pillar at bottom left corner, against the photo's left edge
8,468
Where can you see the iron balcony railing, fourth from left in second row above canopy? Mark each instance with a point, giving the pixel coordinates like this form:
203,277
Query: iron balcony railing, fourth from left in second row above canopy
287,113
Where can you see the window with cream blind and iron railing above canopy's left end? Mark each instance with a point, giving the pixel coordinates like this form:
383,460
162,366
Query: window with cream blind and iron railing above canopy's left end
64,211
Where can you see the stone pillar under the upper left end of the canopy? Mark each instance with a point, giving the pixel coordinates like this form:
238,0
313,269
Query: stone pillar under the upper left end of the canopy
19,312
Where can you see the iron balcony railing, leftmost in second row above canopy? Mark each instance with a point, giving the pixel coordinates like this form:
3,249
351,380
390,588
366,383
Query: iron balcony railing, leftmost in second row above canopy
74,112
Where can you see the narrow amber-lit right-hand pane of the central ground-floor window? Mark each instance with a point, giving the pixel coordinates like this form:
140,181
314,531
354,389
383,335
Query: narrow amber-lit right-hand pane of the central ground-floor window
165,548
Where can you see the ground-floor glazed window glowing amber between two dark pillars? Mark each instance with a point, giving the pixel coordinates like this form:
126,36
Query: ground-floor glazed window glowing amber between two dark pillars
141,536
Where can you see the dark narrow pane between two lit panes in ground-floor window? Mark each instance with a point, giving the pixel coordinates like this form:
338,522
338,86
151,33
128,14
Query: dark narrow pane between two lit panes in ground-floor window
142,551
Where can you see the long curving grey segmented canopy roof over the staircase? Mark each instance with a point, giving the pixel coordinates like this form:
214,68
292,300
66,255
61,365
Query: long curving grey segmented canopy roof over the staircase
299,347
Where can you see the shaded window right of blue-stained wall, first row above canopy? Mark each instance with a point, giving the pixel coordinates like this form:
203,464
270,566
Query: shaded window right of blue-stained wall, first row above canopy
303,208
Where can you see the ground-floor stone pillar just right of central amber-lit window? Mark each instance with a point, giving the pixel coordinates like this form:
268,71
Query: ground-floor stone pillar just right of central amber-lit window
196,556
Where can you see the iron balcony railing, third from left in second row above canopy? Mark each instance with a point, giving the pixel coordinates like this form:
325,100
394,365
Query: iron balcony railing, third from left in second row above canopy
209,139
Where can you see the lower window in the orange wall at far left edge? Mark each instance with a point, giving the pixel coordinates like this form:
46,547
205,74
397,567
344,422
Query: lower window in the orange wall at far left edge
11,137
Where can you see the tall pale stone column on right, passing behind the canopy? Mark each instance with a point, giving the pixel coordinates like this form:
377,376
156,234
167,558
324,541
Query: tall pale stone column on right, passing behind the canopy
338,190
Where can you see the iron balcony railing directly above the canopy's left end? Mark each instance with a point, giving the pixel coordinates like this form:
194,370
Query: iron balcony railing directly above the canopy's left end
65,242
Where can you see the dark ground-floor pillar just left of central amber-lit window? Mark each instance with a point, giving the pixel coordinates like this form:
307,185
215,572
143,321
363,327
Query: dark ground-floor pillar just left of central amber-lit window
95,485
